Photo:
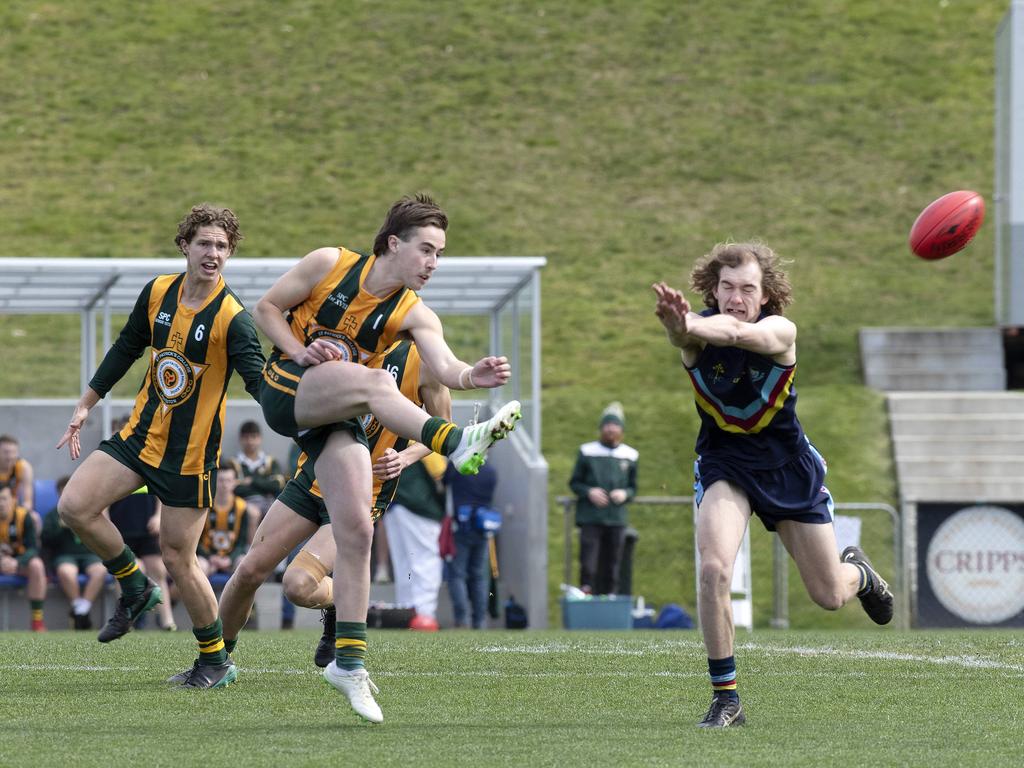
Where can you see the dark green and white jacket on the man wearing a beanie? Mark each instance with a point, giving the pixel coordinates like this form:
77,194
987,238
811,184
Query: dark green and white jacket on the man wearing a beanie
604,467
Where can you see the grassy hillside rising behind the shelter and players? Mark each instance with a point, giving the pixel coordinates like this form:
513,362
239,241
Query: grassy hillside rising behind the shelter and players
619,140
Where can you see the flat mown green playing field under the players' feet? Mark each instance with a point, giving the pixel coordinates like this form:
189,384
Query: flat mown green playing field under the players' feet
500,699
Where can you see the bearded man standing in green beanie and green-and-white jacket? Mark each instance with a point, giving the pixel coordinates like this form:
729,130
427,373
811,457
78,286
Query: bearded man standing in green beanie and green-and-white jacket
605,481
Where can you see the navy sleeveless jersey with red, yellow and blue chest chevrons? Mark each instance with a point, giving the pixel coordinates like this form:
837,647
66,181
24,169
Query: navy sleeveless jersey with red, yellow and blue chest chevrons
748,408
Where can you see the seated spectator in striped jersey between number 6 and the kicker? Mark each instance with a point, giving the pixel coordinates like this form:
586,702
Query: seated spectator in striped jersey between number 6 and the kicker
226,537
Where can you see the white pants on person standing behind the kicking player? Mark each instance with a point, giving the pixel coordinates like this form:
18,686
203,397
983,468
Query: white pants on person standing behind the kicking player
416,560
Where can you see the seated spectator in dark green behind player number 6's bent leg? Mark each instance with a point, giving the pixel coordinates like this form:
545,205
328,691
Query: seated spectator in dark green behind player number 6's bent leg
69,558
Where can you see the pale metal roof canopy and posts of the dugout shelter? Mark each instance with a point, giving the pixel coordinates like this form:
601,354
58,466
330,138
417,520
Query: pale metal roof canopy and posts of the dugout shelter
485,286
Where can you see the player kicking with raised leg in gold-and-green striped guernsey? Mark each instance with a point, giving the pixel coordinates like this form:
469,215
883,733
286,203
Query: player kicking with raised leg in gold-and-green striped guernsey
328,316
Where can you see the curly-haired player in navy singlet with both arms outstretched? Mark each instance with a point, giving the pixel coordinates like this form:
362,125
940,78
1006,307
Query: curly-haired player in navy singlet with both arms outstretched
754,458
